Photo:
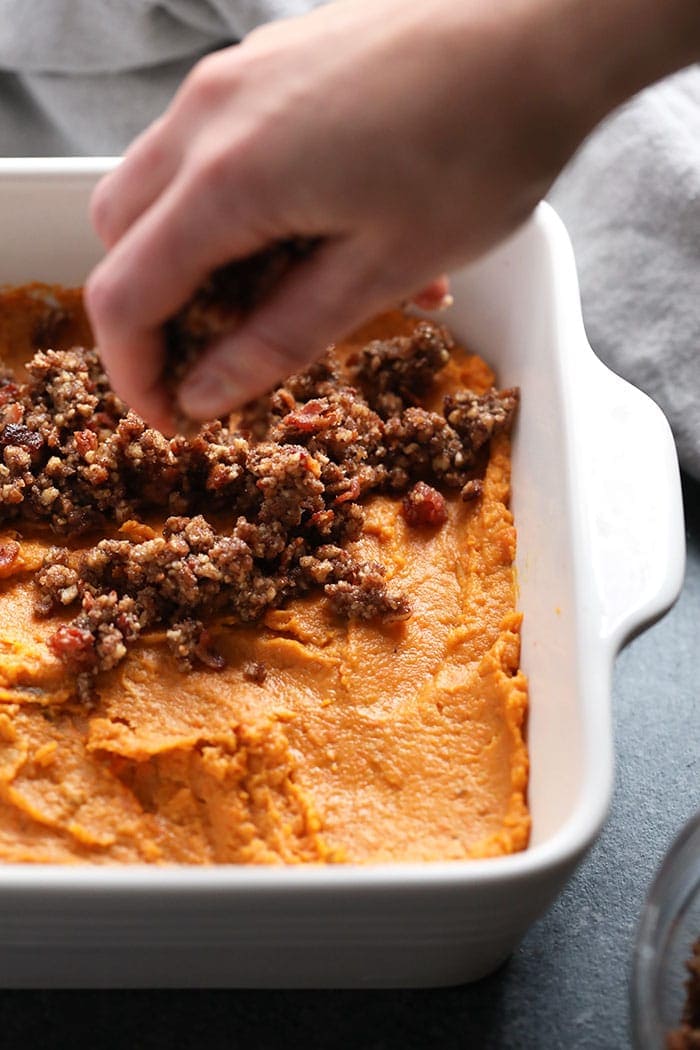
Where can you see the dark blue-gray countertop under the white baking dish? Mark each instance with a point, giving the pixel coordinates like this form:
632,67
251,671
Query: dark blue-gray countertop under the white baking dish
567,985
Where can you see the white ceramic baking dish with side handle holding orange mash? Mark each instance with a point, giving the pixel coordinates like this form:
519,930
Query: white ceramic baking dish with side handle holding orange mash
599,511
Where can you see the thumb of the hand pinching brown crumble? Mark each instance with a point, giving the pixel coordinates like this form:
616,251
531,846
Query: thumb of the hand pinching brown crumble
321,301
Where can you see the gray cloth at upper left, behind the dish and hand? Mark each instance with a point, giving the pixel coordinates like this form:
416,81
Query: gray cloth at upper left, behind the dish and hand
86,77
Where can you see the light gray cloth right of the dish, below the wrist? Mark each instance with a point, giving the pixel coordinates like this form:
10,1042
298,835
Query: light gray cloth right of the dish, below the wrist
631,201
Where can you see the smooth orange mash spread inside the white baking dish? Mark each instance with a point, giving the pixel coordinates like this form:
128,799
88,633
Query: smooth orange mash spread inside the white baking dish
364,744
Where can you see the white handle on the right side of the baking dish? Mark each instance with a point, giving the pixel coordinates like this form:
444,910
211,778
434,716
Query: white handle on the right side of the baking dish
635,508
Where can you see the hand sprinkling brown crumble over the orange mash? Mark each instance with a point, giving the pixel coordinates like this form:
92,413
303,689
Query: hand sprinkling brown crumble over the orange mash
404,139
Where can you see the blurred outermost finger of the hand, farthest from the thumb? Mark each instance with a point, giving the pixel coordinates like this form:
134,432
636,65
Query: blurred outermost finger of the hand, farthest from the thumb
123,196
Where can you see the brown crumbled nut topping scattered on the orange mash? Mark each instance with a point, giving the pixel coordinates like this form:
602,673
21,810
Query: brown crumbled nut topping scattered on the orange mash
291,479
